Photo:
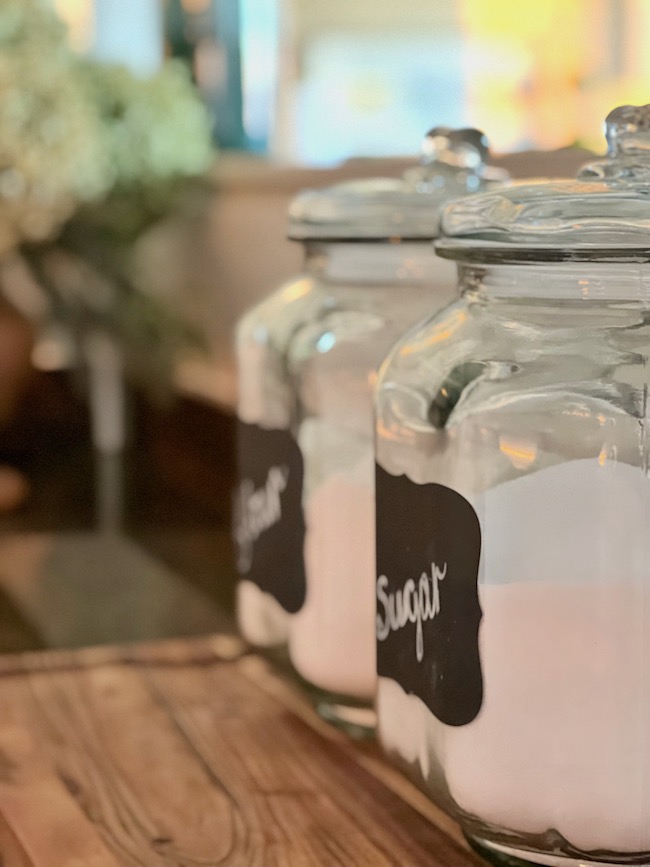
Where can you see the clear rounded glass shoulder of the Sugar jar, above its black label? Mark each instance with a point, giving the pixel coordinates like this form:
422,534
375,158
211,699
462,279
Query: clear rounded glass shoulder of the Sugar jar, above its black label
475,378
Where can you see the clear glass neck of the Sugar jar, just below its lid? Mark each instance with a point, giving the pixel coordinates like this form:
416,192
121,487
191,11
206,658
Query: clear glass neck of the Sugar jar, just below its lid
595,283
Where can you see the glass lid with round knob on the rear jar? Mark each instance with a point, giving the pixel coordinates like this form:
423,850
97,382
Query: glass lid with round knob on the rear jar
453,163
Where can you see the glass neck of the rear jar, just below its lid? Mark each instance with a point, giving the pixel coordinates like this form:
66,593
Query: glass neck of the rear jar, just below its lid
375,263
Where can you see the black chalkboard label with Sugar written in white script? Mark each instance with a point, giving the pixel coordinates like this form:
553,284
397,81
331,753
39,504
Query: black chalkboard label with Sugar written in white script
428,611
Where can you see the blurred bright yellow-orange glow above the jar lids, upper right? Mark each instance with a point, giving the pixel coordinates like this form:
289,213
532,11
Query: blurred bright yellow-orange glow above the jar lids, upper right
527,65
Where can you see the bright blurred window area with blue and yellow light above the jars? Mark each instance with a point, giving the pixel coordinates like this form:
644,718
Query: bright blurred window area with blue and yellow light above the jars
536,75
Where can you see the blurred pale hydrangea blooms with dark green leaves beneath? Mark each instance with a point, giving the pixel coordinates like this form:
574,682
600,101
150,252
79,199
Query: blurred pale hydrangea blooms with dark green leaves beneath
91,156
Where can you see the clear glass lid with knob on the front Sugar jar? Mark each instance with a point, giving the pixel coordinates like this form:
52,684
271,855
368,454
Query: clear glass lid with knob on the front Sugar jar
603,215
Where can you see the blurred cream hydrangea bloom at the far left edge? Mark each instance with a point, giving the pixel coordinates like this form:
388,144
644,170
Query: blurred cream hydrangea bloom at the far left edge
52,153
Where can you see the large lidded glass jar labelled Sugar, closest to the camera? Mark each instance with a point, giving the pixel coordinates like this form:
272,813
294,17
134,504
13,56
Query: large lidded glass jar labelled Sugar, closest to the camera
513,521
